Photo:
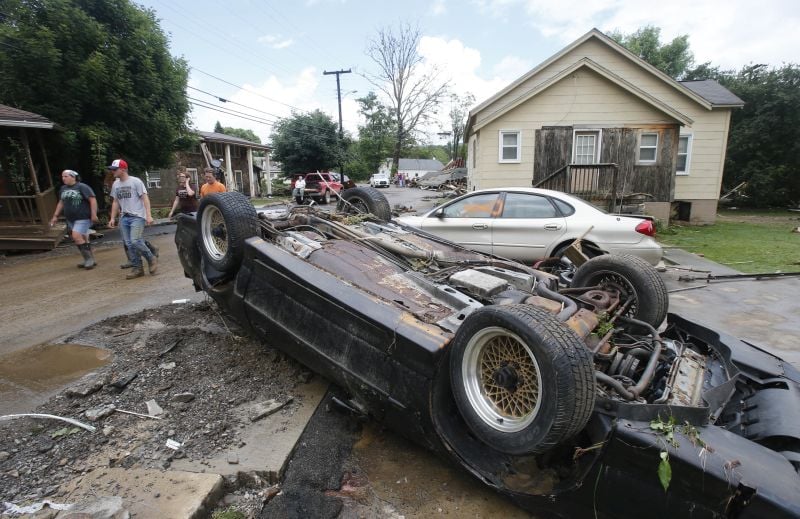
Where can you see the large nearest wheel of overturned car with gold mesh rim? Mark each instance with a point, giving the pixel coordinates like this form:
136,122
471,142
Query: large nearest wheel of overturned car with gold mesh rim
523,381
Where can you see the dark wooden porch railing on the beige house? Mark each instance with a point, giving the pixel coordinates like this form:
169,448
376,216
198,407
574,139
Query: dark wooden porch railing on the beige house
595,183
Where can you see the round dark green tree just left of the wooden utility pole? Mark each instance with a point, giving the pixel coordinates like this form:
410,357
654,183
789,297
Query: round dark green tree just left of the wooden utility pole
307,142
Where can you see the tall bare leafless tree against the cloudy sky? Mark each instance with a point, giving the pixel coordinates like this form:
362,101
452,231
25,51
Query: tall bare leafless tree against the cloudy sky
413,93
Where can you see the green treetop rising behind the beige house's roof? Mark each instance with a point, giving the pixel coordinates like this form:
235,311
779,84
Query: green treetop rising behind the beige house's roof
673,58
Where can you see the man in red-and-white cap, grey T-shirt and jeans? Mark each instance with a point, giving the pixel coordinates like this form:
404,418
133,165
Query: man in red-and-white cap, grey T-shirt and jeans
129,197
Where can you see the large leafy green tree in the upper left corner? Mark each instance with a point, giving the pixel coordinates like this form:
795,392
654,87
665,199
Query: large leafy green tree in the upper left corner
101,70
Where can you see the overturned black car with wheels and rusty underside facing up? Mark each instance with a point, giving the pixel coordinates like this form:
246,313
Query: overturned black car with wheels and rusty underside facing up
587,399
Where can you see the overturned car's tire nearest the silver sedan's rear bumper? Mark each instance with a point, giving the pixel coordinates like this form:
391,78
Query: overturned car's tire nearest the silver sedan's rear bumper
633,277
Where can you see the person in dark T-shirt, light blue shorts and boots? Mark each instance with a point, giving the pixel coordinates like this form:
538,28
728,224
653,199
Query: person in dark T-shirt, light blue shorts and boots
79,204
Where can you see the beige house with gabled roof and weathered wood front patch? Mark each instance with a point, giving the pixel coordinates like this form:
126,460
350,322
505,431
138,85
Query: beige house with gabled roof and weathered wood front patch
595,118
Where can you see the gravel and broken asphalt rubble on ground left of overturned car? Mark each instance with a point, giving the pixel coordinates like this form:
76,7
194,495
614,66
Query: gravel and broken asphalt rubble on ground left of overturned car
215,370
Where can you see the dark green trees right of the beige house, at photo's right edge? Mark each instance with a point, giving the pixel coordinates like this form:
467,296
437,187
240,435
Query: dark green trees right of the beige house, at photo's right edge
764,140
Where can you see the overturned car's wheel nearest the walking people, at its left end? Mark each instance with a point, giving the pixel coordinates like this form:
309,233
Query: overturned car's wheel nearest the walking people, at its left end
225,221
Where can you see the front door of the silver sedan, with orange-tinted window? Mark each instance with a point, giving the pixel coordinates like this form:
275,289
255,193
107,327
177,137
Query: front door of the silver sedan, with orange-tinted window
466,221
